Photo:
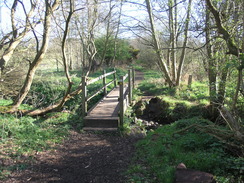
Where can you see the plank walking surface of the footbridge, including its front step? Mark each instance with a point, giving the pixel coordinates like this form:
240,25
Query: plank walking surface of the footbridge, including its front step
104,115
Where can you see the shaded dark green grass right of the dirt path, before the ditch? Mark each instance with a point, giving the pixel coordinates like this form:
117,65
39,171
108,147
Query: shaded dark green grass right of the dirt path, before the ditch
162,150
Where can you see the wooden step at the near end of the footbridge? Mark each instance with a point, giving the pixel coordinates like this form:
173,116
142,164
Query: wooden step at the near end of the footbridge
101,122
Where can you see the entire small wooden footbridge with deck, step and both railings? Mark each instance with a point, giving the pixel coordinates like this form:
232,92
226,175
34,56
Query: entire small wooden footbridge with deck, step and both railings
108,113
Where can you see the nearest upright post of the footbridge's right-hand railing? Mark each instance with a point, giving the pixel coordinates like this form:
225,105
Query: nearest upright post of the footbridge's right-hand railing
121,100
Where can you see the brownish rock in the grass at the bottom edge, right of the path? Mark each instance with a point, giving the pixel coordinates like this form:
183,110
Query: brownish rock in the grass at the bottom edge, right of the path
184,175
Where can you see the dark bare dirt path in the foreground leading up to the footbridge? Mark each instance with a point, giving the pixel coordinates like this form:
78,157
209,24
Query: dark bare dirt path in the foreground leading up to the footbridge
84,157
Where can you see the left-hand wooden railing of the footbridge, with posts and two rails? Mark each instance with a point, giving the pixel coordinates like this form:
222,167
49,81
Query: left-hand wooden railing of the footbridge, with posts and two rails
86,82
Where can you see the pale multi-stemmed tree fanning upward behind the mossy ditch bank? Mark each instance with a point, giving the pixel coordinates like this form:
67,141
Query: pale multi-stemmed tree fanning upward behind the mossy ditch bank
172,76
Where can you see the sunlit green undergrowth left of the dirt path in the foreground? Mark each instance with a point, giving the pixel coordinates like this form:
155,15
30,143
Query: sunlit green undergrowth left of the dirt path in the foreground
22,137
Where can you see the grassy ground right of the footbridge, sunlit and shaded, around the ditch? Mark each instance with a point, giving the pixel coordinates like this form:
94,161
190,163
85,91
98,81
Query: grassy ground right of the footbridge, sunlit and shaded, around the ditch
185,140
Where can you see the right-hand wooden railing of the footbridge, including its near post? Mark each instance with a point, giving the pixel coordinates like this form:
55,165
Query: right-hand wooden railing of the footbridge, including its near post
125,93
